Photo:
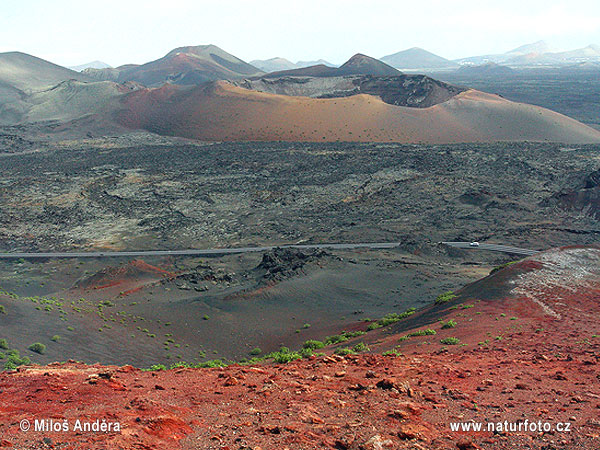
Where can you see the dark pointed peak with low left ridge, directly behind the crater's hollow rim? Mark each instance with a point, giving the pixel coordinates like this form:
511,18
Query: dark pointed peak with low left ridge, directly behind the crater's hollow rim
359,64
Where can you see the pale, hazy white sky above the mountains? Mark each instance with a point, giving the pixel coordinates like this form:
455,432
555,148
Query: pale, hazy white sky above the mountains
70,32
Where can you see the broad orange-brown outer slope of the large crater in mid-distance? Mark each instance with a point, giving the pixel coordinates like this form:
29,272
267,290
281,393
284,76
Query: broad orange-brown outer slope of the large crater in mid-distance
221,111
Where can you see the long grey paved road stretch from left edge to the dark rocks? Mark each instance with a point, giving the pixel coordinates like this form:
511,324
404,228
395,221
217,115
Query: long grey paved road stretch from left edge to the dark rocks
193,252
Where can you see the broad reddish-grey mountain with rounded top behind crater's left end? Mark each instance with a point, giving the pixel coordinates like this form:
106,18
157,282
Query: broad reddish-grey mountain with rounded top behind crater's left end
189,66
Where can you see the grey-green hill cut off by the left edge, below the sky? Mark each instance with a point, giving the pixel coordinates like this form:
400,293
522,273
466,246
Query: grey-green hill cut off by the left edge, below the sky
28,73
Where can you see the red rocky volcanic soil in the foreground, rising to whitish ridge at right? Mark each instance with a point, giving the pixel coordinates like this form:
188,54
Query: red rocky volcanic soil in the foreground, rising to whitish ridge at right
531,351
